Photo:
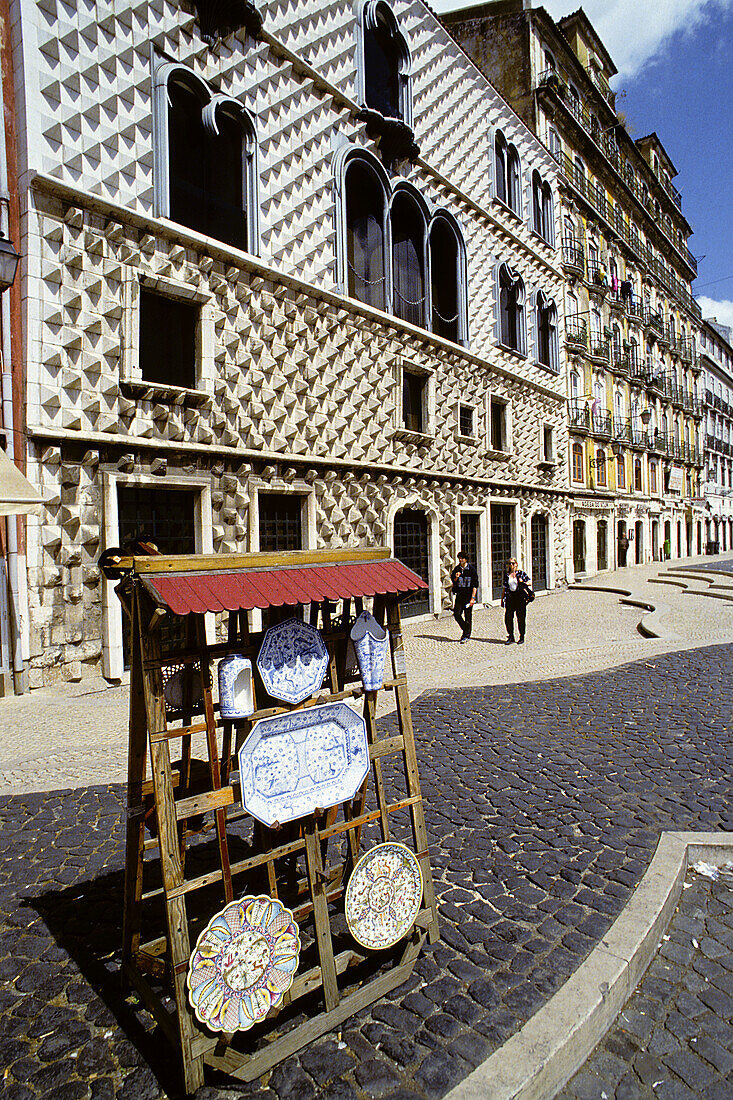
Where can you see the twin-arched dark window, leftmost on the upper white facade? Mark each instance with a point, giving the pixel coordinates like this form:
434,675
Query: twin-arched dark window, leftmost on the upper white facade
207,180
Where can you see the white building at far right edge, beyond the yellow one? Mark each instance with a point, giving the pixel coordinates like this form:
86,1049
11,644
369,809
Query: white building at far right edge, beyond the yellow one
717,359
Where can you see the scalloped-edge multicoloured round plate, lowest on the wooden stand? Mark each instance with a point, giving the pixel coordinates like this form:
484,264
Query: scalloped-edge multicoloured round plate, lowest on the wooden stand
244,964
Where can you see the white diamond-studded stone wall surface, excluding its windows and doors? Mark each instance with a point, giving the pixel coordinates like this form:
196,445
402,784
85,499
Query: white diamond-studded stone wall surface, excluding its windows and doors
303,386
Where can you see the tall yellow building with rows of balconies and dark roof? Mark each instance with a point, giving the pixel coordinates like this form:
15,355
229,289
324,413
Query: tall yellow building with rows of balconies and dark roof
636,410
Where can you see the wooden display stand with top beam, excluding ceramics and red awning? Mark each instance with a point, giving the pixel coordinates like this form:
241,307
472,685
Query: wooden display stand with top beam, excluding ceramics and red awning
188,798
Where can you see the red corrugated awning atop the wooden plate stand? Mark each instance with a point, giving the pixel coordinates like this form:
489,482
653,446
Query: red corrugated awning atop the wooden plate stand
245,589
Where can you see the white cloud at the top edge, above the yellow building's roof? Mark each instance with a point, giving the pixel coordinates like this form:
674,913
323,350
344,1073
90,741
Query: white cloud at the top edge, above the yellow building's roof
633,34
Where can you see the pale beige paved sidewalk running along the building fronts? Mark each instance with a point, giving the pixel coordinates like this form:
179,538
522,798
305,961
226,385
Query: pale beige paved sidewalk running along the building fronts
75,735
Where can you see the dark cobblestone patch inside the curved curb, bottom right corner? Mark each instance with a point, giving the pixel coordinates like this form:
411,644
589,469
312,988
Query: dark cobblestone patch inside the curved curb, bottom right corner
674,1041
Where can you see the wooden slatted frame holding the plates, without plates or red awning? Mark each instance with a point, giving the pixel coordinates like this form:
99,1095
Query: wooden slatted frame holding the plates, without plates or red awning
166,959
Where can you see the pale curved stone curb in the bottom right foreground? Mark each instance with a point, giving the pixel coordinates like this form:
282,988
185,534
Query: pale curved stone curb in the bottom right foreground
537,1062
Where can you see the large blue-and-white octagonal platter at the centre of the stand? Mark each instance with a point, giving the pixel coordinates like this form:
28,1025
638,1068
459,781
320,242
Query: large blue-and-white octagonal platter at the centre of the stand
294,764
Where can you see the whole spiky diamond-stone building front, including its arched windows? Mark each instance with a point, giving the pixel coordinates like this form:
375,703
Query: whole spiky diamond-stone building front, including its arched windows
275,298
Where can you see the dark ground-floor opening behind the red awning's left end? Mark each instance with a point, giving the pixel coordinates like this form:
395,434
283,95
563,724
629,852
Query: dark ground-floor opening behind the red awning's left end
168,520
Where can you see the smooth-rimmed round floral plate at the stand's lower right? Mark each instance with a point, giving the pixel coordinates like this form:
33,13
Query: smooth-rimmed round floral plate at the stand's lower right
384,897
